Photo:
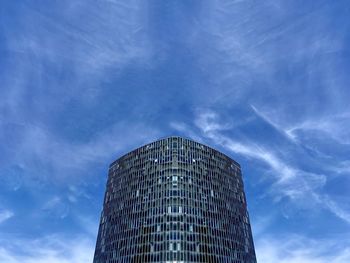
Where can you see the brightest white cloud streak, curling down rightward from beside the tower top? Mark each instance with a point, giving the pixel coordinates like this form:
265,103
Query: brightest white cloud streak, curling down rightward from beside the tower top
288,180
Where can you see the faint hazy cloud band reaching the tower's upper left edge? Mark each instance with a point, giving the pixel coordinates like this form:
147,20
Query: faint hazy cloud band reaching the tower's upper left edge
65,158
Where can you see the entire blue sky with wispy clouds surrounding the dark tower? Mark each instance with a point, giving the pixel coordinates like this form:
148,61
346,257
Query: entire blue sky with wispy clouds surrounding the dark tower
266,82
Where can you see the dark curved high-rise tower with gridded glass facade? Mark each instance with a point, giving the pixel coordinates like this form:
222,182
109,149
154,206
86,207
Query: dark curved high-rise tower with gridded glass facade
174,200
